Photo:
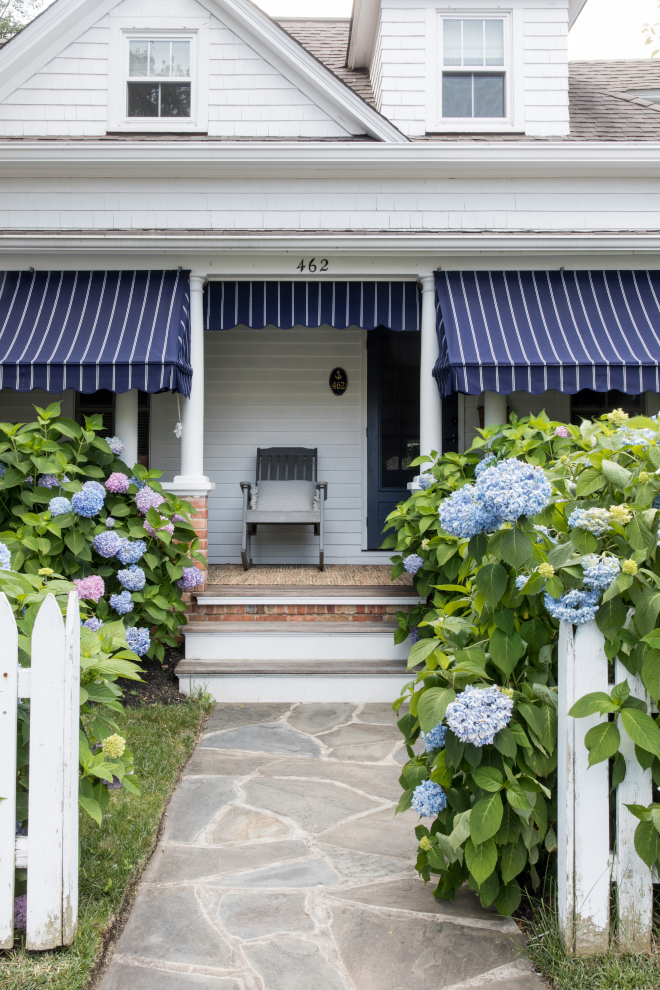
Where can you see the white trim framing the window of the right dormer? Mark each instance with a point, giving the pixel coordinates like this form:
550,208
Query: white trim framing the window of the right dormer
513,71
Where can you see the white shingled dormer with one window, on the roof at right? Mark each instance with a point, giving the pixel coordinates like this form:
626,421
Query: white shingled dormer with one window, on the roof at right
467,66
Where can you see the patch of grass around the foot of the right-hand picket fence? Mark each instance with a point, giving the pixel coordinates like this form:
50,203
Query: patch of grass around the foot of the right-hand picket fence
557,969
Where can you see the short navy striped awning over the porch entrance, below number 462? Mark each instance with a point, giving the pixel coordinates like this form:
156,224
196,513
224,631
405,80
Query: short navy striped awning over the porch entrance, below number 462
312,304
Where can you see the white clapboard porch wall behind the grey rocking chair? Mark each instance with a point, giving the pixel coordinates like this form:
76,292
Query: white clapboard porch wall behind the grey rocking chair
268,388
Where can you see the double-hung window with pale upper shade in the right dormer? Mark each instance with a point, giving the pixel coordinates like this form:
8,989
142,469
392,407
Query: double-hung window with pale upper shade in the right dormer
473,68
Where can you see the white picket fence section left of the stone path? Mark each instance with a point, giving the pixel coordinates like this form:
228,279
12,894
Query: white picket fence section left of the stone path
50,850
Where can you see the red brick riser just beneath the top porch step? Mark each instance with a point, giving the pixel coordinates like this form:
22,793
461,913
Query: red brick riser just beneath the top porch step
294,613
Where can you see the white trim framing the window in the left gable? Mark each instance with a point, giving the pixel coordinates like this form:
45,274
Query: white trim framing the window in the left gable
123,30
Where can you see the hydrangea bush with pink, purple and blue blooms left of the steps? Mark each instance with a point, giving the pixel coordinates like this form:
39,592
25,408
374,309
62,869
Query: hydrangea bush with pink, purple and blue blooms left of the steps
129,547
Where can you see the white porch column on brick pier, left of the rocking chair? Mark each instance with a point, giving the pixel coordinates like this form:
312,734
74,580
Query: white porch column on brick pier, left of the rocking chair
192,477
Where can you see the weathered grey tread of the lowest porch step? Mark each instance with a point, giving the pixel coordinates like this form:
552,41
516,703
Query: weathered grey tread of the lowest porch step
277,668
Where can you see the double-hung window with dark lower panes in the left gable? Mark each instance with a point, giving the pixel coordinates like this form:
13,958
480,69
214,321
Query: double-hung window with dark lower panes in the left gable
159,78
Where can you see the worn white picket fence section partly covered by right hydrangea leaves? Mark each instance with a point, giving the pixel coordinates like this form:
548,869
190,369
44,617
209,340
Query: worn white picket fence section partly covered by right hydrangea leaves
586,864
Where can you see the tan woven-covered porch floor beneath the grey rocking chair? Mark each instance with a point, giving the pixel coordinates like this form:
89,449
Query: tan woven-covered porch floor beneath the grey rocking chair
338,575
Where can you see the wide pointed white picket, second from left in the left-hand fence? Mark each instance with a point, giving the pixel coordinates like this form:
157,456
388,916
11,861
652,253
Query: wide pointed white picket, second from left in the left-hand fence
46,795
